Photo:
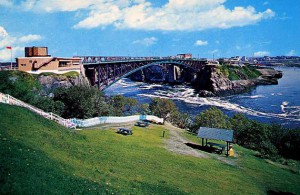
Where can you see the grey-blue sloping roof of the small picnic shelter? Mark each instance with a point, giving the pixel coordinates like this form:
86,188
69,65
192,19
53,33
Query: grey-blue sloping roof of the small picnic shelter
217,134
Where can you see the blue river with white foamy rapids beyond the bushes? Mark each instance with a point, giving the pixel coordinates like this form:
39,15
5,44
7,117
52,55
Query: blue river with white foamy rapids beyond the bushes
278,104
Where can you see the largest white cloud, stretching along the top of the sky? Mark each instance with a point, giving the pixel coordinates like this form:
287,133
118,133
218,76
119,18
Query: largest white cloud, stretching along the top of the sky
179,15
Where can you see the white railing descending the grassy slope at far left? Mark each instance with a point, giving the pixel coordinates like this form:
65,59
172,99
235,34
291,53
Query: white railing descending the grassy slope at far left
7,99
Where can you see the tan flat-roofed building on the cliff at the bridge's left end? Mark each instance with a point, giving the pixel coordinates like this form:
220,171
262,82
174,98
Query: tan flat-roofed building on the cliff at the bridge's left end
37,60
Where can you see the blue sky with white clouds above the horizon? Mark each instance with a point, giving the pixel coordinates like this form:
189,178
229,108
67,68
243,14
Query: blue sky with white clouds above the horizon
204,28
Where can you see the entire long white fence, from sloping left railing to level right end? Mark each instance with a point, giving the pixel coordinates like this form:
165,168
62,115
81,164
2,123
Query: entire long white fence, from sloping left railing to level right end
73,123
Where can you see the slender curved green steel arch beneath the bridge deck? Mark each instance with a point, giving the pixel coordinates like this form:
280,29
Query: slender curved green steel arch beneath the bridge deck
159,63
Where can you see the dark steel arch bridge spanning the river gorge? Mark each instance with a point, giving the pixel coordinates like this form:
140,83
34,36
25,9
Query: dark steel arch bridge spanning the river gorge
105,71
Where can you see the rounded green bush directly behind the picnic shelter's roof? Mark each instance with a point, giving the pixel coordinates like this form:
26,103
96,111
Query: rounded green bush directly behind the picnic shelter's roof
212,117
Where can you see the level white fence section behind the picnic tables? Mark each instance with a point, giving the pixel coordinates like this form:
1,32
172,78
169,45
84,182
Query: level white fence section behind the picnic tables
114,119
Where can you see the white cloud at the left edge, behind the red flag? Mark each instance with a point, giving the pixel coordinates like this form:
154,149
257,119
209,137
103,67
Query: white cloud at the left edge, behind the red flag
16,42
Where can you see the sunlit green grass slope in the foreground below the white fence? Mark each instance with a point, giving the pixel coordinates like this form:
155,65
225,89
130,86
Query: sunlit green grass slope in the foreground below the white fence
41,157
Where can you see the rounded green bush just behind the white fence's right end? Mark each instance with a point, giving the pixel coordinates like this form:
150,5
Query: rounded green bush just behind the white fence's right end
162,108
